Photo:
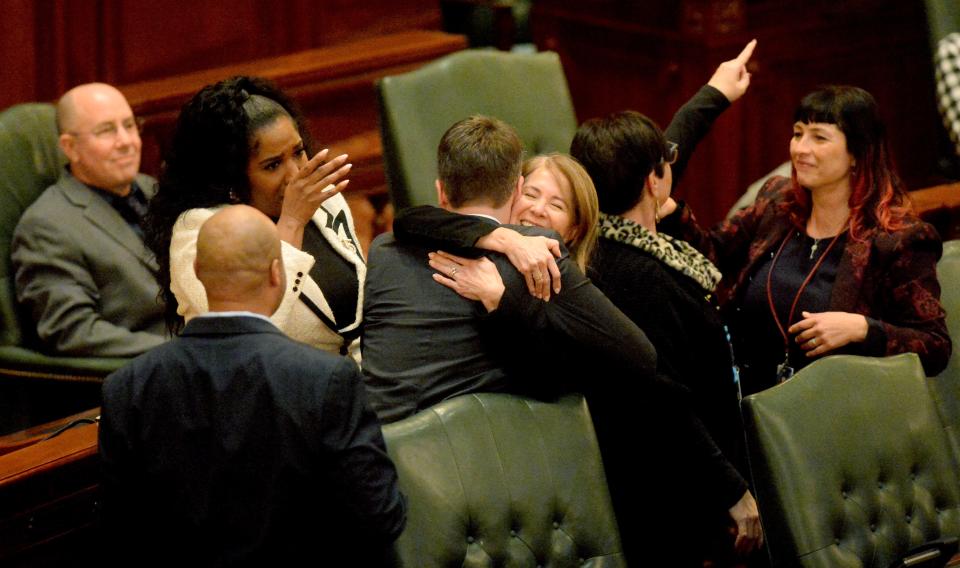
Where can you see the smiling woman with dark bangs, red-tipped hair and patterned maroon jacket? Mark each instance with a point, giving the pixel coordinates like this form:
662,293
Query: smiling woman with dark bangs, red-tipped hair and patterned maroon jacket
831,261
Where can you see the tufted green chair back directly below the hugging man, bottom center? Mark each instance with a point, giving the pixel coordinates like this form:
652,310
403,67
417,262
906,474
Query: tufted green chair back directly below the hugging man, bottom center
501,480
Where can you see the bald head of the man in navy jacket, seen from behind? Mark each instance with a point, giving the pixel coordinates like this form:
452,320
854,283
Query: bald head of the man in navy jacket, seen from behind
239,262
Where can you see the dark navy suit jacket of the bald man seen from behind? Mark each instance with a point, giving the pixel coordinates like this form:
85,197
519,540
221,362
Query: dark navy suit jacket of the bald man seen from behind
235,444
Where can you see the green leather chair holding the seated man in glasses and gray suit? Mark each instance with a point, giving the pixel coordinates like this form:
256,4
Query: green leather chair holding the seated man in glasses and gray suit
31,162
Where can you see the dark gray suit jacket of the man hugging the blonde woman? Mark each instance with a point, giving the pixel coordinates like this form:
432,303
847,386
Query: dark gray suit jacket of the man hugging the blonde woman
423,343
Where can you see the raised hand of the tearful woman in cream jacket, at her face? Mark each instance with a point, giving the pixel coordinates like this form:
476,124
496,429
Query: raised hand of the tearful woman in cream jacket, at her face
310,186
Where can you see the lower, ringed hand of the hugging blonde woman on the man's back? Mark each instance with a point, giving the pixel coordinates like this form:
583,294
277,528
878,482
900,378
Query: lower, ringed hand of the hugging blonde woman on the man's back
474,279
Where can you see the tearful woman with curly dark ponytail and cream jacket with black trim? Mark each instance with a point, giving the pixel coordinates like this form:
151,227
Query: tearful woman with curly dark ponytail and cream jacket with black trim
243,141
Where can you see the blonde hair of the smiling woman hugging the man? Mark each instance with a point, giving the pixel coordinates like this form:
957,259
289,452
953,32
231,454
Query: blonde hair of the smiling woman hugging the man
586,210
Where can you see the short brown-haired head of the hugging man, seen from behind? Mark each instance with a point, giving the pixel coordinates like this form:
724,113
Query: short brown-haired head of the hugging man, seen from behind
478,161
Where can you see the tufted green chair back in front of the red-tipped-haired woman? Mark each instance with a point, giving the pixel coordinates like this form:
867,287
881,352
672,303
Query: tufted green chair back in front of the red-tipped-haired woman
851,463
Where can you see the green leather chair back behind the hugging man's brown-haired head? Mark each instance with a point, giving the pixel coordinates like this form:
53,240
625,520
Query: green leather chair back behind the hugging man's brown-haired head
528,91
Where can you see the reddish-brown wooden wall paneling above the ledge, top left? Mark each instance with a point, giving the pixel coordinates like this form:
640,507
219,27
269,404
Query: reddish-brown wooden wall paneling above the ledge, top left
48,46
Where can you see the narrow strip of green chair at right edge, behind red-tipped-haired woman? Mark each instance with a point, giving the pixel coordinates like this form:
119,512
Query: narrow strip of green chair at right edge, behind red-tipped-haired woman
945,387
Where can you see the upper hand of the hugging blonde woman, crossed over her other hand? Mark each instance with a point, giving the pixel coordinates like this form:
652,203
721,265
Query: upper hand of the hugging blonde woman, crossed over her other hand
532,256
